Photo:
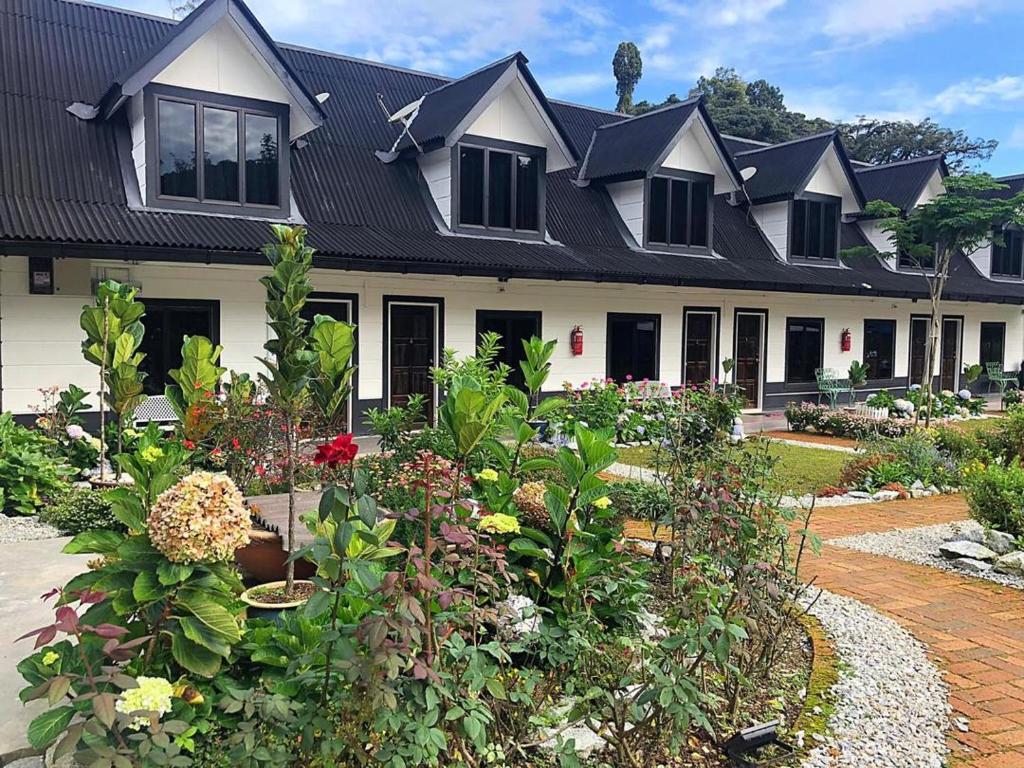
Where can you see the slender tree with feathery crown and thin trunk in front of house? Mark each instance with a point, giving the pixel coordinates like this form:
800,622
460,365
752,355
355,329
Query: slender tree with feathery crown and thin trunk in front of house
960,221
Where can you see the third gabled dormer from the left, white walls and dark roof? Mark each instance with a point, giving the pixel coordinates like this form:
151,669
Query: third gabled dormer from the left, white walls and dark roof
662,172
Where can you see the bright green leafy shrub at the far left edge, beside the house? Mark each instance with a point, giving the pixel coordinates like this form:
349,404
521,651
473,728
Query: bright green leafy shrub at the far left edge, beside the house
32,471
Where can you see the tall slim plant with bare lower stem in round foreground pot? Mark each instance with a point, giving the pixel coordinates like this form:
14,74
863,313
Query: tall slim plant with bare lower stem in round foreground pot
291,364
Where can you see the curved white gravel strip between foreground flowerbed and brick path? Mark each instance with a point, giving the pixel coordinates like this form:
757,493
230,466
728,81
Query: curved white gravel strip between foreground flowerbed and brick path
891,703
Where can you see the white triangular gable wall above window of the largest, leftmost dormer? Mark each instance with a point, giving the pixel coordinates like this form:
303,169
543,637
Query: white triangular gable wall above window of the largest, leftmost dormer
225,62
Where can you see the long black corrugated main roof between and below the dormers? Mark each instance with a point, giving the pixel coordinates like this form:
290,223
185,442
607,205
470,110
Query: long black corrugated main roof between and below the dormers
62,191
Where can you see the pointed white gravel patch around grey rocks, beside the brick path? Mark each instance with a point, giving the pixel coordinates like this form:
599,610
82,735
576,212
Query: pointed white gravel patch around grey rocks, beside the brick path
921,546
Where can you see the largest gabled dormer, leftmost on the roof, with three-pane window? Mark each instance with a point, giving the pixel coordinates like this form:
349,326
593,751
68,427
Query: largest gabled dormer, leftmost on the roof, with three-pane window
209,116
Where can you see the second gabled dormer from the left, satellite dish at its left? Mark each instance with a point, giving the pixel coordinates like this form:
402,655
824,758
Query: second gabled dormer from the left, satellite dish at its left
485,145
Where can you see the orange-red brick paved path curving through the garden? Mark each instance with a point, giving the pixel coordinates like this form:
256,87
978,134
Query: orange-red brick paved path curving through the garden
974,629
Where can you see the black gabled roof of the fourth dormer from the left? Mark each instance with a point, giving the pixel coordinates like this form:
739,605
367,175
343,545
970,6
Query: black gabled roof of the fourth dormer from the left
784,169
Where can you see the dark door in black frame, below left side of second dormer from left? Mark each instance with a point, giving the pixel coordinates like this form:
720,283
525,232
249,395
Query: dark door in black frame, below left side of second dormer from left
412,350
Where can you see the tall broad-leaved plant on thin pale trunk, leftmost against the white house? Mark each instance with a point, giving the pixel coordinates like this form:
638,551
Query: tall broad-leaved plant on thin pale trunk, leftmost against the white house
113,335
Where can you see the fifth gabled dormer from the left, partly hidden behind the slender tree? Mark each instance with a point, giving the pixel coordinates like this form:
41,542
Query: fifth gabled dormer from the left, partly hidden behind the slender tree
906,185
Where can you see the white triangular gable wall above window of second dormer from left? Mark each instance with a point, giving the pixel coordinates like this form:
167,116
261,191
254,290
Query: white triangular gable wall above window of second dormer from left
515,116
